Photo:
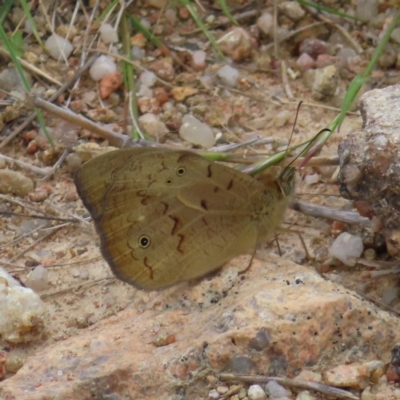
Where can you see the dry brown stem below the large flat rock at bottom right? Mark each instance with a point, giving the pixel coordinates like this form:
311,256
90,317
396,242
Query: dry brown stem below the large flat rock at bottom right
295,383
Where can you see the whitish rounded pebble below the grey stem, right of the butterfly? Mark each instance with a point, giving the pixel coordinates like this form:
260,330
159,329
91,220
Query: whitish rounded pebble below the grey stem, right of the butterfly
346,247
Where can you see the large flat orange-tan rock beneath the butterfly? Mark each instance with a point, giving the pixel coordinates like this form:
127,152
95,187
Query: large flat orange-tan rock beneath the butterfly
276,319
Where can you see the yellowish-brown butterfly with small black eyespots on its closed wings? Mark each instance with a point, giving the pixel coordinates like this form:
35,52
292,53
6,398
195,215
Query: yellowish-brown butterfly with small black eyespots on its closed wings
167,216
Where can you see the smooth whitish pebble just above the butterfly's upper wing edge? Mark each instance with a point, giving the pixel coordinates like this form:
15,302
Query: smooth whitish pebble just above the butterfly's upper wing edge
196,132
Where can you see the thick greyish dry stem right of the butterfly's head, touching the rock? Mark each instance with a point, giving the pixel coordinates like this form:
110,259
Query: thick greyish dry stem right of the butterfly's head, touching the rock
349,217
